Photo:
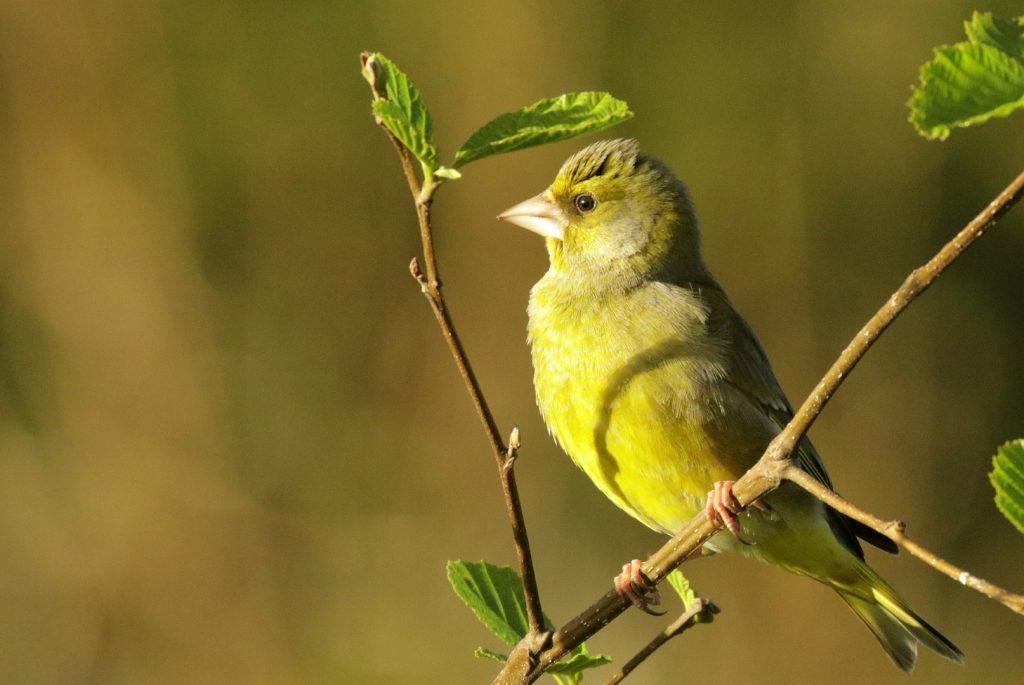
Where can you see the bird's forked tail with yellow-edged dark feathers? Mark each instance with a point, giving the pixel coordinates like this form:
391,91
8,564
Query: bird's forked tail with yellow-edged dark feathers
893,623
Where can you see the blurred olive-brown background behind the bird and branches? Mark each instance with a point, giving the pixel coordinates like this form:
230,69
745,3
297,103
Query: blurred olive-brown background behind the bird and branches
234,448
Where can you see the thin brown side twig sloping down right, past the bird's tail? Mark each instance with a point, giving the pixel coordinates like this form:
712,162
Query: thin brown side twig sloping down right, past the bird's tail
894,531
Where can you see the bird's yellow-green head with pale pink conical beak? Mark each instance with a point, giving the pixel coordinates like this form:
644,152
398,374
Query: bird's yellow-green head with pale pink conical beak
612,209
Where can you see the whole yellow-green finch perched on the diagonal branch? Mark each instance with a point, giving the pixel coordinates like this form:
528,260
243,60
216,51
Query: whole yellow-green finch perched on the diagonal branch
656,387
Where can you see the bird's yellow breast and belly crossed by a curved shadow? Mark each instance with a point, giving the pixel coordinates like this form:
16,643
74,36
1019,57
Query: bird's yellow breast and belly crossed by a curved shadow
628,388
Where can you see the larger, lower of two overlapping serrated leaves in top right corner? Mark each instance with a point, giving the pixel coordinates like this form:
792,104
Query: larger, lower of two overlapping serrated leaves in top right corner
964,85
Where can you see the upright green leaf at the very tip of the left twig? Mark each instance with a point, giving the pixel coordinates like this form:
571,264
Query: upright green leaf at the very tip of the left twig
399,106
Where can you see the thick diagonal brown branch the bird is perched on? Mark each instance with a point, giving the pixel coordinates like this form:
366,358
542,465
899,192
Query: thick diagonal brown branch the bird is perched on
776,463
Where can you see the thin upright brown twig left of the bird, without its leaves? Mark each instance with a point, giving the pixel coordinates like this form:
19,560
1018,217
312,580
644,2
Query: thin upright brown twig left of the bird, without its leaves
432,287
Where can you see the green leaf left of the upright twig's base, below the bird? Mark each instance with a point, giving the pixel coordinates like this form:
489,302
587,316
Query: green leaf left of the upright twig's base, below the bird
495,595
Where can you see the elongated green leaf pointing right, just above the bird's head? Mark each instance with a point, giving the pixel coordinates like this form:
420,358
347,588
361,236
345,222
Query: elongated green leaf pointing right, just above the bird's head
547,121
